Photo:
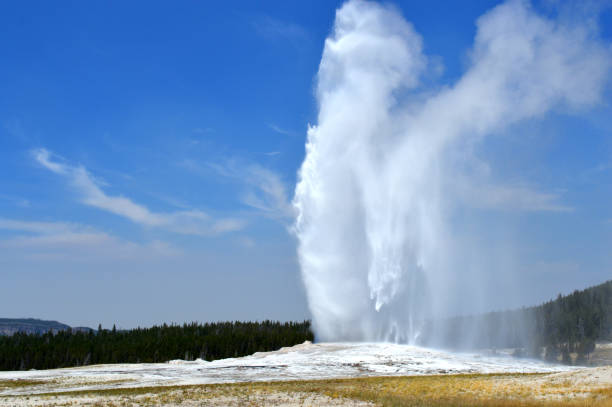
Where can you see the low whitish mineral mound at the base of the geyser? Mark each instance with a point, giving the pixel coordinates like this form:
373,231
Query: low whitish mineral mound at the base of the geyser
305,361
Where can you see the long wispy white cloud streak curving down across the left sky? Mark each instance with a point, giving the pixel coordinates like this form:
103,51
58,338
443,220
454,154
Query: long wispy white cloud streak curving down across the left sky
191,222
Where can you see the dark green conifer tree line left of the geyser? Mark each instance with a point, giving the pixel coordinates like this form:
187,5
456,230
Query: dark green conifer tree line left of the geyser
208,341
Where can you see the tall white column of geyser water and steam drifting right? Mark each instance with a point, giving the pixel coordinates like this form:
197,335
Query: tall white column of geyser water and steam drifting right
379,180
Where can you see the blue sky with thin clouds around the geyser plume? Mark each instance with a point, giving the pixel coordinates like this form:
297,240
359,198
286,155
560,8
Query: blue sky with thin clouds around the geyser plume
149,151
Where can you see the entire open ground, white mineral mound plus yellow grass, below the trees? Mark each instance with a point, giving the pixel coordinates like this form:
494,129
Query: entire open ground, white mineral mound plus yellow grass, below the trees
318,375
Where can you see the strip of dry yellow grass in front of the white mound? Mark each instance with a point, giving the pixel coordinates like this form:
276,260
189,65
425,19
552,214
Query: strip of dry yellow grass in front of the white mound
581,388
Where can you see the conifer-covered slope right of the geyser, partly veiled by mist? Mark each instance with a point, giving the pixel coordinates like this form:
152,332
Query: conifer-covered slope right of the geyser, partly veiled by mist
569,324
